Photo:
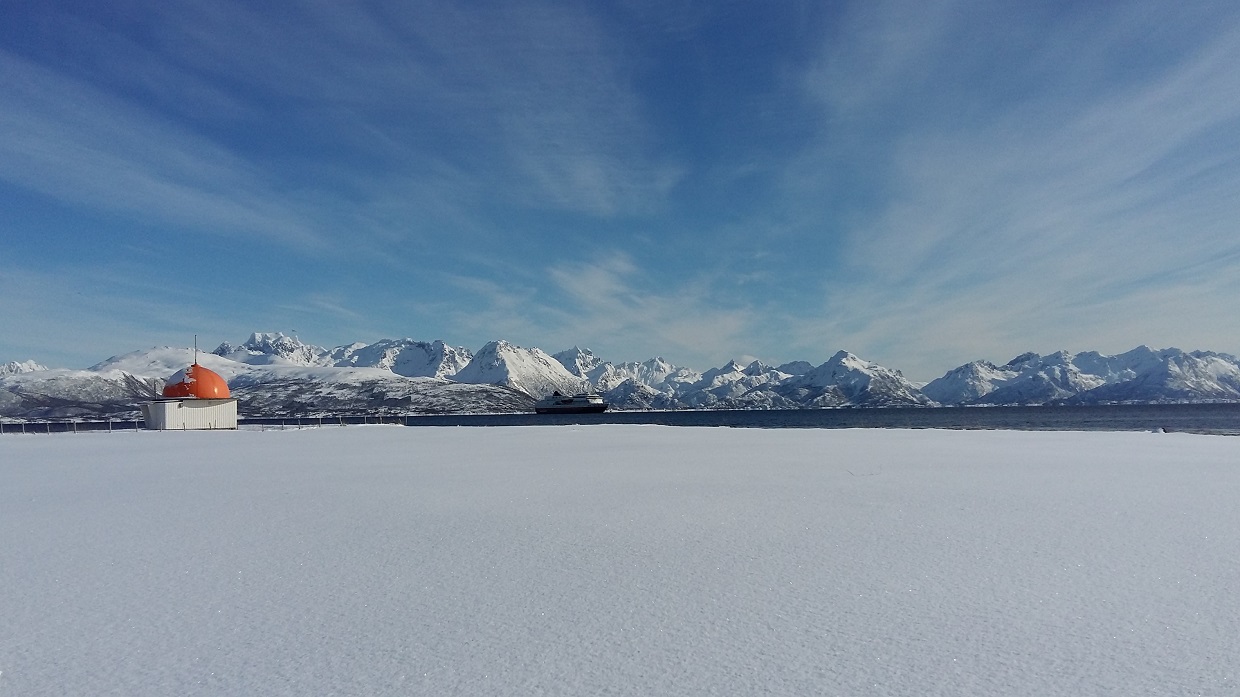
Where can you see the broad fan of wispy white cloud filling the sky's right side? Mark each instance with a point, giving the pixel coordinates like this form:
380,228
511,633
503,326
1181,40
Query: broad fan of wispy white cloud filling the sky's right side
1069,216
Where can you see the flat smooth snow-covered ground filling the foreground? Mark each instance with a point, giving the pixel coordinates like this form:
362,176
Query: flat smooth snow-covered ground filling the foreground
619,560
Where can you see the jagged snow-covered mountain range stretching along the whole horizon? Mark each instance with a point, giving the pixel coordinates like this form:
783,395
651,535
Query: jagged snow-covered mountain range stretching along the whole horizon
276,375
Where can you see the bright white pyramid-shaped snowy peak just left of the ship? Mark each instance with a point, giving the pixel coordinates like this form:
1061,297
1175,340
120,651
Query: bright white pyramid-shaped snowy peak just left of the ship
528,370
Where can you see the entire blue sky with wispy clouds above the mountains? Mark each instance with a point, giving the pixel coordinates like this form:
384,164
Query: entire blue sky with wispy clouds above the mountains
919,183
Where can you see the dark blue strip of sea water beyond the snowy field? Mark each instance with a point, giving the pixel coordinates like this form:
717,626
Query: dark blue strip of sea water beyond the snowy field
1196,419
